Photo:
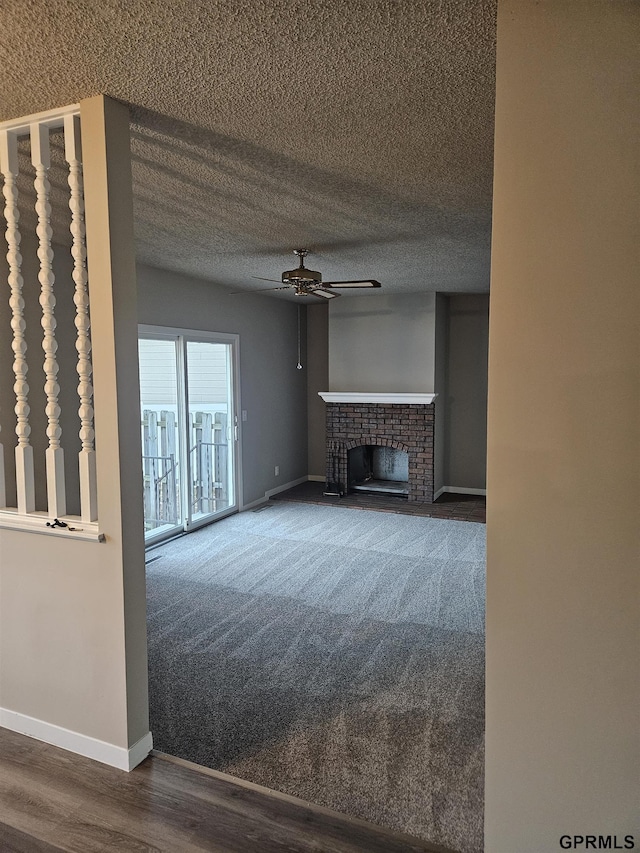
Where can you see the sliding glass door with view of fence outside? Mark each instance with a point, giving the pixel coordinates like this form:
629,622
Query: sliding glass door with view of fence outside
189,429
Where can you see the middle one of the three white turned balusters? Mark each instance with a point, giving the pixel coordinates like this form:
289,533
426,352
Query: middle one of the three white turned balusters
56,498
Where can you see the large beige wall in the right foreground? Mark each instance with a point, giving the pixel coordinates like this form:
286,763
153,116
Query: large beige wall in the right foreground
563,614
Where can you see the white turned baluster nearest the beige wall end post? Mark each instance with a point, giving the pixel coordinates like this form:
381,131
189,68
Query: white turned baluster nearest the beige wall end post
87,456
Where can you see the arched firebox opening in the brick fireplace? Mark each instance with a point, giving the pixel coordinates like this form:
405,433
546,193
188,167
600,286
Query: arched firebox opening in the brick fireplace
373,468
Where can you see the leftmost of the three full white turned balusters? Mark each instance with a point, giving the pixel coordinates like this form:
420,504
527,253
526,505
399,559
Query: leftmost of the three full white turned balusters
25,487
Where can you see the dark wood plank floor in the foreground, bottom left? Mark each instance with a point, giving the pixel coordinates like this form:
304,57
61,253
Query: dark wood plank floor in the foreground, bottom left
52,800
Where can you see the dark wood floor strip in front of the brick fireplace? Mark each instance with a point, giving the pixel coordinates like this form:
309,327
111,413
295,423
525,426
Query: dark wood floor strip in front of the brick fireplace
454,507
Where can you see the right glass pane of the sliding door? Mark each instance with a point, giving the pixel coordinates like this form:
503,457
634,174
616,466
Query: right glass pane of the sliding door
210,428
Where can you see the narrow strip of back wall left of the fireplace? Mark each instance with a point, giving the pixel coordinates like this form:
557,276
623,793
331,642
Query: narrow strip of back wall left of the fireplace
317,367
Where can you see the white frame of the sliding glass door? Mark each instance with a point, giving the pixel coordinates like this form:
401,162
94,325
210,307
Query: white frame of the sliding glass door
177,334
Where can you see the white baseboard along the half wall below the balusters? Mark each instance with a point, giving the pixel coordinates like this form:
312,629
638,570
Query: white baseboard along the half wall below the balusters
98,750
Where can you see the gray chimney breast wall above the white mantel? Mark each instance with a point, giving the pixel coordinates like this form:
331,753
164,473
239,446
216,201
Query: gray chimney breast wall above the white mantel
381,342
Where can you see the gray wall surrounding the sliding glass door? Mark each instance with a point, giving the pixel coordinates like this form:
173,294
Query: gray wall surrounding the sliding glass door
273,392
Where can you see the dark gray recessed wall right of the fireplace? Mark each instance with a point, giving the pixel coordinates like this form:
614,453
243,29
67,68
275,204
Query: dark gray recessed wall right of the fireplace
465,397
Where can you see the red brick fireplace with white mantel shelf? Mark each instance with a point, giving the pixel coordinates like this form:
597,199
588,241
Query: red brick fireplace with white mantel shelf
373,439
